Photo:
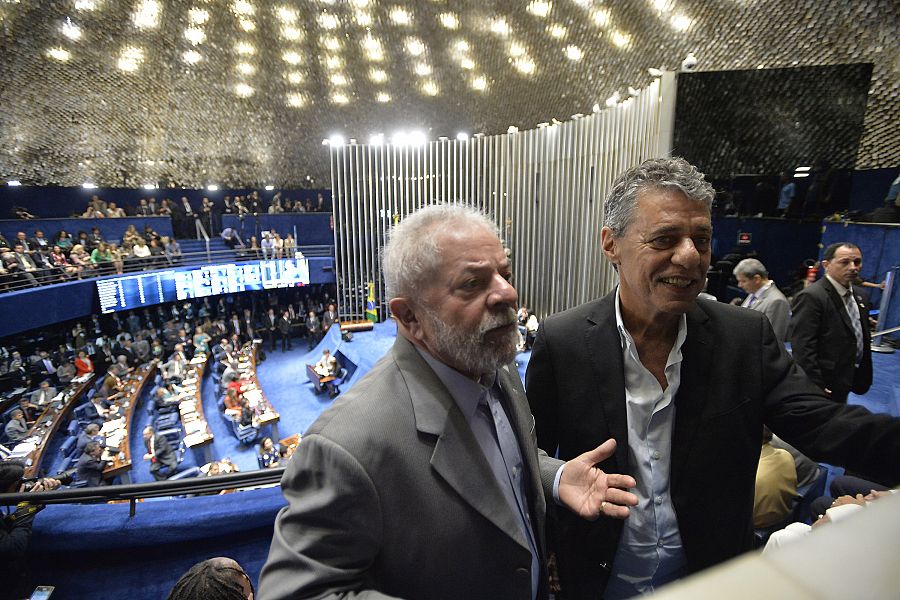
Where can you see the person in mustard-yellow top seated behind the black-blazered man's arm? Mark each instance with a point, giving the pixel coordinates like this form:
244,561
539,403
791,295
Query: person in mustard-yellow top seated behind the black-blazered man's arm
776,485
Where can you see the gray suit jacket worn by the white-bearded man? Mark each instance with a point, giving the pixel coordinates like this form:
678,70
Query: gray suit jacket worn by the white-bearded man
390,495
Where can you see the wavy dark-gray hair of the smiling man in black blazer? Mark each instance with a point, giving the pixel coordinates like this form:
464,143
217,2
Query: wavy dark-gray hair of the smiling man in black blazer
656,173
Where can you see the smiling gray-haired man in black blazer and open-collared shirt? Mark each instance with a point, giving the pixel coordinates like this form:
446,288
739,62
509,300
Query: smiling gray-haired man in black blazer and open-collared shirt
684,386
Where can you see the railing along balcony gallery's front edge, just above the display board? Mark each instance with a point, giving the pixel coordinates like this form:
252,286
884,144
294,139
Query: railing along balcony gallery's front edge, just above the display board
50,276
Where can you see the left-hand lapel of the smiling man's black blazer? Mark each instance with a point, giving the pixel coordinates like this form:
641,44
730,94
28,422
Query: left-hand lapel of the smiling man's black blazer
605,350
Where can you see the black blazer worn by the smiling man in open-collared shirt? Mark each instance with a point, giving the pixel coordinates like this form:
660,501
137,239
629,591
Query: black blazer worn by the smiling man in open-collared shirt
735,376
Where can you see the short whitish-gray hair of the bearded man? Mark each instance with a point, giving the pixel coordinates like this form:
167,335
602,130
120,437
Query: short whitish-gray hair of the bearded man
412,254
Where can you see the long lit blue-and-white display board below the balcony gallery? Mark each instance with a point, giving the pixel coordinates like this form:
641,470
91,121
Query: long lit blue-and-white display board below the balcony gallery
184,283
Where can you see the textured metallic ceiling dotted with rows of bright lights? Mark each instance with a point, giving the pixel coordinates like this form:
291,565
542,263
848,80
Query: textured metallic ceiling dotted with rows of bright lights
240,92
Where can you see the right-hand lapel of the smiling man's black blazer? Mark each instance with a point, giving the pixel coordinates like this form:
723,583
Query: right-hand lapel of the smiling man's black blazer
693,390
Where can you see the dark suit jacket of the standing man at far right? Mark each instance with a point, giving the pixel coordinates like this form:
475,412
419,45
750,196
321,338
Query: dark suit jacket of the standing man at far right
823,342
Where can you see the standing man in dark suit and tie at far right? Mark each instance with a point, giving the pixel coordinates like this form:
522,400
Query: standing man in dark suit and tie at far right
830,339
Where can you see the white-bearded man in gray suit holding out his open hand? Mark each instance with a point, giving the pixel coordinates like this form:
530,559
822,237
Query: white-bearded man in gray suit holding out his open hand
424,480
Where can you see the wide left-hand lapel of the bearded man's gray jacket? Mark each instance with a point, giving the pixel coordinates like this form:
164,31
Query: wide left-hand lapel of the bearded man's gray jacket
457,457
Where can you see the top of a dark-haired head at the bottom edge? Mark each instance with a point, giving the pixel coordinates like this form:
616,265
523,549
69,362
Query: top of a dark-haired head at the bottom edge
218,578
